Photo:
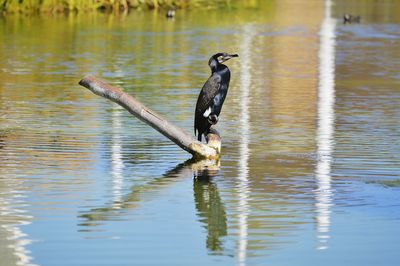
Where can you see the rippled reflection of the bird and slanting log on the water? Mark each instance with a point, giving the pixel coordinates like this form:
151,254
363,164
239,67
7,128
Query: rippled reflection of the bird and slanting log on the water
210,207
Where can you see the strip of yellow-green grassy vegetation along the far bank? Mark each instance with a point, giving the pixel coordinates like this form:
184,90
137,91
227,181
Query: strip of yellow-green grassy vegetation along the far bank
64,6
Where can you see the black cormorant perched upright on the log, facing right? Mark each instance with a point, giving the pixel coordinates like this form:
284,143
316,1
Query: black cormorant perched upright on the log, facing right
212,95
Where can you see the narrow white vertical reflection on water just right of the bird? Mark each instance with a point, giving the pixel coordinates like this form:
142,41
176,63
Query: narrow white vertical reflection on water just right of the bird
243,188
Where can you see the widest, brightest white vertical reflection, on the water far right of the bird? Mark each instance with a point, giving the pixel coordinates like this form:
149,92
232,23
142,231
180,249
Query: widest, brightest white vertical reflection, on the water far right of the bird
325,130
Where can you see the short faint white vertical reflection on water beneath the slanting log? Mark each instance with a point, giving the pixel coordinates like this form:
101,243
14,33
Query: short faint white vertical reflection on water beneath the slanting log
116,158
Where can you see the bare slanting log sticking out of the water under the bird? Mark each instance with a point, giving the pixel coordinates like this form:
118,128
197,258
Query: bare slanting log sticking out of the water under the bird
175,134
